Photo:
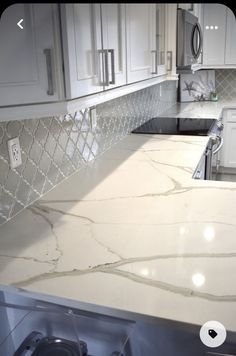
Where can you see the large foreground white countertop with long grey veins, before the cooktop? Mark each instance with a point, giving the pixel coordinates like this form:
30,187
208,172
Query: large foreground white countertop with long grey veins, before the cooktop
133,232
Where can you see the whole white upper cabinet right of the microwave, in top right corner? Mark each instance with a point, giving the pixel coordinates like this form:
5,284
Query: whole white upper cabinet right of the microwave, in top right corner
219,33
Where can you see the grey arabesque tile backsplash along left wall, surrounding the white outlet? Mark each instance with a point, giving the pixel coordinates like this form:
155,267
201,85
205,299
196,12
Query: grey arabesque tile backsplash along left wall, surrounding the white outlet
53,148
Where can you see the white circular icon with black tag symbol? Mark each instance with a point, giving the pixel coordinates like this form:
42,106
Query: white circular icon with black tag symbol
212,333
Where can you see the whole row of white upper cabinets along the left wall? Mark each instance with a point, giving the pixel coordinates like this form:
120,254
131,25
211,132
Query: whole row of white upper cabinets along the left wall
68,51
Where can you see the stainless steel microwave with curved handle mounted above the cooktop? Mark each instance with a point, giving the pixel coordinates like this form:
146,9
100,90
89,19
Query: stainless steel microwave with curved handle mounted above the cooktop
189,40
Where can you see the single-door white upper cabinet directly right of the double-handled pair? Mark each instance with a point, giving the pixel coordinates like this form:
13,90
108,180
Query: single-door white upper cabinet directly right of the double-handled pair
146,41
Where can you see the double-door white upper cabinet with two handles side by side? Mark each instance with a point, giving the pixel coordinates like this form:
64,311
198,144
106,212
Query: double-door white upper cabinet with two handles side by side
94,47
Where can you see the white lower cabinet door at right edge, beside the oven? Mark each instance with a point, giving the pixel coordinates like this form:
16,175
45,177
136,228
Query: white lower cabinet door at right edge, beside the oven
229,148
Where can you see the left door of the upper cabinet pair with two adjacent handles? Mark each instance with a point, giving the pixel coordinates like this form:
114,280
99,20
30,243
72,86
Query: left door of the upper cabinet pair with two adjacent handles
82,49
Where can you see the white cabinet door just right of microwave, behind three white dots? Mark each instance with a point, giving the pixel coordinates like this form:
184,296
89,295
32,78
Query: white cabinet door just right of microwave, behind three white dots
214,25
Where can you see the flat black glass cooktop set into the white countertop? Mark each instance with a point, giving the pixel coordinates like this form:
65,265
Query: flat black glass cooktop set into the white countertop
176,126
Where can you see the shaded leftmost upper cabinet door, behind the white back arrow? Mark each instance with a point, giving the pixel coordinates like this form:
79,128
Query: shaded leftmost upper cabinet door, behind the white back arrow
28,58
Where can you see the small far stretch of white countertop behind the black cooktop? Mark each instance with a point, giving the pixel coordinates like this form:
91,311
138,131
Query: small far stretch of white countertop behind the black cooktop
199,109
